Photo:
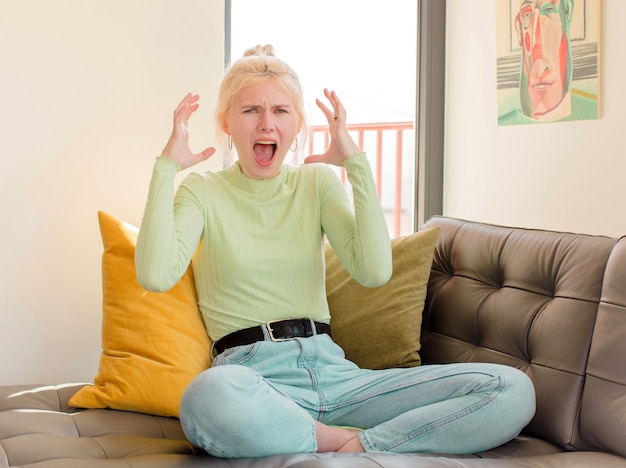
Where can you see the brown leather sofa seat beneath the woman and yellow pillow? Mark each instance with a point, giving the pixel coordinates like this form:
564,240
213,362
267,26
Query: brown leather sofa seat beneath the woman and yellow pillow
38,429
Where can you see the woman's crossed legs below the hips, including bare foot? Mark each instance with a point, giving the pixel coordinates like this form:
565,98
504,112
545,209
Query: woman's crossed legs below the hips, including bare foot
233,411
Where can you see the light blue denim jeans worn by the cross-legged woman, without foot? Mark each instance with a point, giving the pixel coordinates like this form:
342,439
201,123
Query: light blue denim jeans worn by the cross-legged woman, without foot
262,399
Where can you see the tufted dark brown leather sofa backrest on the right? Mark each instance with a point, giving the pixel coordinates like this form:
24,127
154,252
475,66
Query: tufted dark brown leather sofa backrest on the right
530,299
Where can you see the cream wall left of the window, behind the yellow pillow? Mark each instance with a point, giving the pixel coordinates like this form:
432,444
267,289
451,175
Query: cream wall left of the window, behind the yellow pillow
87,93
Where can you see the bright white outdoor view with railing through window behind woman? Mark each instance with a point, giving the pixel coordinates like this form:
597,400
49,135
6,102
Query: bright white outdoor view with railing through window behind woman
366,50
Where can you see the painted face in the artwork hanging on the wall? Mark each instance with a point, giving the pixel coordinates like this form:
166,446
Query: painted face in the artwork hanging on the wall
542,33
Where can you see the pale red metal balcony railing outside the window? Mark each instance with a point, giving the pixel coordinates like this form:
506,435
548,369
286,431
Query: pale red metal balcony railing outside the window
389,174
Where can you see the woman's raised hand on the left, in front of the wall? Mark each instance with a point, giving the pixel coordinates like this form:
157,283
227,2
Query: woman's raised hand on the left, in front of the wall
177,148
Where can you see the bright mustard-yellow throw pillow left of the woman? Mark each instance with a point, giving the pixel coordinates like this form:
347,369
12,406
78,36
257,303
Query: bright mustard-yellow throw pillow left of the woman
153,344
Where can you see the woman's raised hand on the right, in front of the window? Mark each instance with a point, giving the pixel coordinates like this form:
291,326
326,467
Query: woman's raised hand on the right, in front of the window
342,146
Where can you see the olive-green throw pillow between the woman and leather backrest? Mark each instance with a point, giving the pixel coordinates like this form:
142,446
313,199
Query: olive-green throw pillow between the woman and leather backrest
380,328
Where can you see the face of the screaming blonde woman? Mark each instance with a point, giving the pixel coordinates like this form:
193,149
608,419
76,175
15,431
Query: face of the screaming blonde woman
262,123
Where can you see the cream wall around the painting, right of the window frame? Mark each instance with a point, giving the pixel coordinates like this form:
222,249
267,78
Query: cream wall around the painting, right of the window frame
562,176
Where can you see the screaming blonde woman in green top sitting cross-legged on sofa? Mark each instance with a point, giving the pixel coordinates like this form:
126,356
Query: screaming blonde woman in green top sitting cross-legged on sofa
278,383
